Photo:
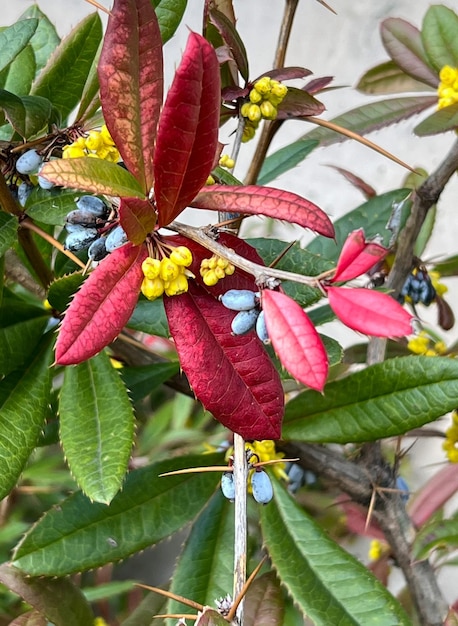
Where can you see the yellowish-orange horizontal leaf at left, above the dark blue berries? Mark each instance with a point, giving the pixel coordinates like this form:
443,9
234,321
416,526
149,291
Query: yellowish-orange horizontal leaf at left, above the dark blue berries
93,175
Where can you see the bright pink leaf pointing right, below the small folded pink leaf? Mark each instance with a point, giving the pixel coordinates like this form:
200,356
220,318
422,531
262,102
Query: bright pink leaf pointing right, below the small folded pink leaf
370,312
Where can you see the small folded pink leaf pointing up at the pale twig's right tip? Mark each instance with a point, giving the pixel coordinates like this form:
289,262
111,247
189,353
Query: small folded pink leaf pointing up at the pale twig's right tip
357,256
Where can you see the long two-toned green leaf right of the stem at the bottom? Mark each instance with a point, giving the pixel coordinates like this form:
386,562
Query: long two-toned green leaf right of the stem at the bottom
331,581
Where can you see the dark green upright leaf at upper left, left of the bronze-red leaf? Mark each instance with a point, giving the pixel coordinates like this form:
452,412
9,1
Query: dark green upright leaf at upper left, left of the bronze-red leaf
63,78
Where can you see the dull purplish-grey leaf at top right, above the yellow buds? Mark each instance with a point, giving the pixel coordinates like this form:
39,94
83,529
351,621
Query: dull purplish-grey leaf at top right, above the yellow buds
403,42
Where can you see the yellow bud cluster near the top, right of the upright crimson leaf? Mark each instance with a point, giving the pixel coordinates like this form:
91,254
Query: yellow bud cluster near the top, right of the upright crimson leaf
264,99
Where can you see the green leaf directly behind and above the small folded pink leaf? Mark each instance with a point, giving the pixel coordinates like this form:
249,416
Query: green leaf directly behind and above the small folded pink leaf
374,214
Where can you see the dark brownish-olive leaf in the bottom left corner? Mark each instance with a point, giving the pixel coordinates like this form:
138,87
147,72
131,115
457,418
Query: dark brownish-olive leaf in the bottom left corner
58,599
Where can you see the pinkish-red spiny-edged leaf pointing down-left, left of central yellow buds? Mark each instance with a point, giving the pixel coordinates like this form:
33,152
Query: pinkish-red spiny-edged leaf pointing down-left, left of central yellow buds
102,307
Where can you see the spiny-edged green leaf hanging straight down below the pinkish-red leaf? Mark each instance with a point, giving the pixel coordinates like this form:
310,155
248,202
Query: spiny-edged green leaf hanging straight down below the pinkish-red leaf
96,426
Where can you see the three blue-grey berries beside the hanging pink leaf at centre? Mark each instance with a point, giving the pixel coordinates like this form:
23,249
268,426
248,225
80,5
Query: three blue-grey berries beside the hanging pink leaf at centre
249,316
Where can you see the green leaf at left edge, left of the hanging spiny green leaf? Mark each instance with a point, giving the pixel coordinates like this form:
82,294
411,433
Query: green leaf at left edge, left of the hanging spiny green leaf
23,407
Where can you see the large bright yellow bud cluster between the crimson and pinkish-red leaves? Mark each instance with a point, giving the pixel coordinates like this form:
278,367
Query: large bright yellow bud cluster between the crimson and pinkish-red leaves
168,275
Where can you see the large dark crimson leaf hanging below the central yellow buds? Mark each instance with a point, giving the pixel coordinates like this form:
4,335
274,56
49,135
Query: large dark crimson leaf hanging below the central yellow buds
231,375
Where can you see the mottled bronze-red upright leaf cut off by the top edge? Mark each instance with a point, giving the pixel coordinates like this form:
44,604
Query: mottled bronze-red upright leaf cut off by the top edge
131,84
